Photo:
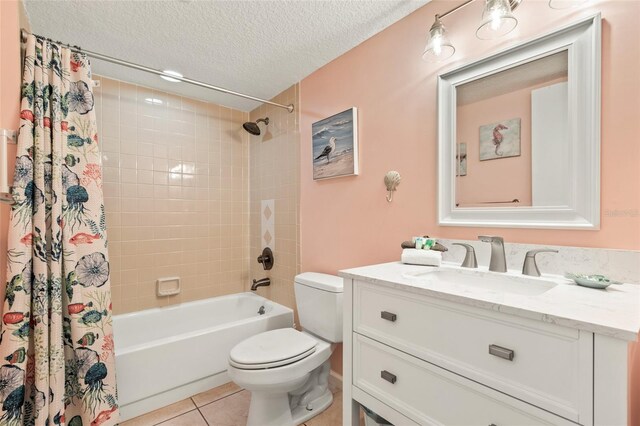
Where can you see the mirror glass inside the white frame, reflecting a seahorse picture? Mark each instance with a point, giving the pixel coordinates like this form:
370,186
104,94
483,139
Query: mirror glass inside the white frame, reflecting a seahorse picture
512,137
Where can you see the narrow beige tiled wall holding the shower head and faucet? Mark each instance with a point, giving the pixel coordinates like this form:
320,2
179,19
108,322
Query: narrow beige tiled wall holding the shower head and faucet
275,175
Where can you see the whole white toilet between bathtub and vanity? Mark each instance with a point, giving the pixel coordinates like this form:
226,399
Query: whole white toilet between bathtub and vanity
286,370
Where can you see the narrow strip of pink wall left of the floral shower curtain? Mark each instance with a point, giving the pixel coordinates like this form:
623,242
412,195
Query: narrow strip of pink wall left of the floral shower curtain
9,103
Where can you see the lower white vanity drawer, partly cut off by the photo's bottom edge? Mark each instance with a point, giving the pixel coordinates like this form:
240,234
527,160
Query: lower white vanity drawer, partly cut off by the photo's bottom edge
431,395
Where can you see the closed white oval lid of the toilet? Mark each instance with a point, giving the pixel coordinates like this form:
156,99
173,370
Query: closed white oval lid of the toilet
272,349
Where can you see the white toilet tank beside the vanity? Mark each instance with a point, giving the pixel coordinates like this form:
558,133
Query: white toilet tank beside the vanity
319,302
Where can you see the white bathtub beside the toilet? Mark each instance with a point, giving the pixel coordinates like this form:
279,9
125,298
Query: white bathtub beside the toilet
164,355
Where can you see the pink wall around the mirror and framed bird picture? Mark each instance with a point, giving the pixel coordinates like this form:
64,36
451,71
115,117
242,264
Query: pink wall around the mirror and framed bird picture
347,222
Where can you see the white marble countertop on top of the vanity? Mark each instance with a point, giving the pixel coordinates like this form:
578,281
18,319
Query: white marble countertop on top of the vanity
614,311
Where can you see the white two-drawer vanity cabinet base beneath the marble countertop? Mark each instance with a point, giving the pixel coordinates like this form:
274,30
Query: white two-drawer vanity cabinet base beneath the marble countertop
419,356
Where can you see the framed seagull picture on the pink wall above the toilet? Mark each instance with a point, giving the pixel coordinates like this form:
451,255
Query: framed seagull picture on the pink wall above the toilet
335,145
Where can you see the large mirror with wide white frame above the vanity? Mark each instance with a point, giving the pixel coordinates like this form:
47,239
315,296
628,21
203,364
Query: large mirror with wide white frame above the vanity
519,135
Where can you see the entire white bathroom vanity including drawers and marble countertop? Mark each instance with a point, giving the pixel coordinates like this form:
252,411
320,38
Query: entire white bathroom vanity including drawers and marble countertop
455,346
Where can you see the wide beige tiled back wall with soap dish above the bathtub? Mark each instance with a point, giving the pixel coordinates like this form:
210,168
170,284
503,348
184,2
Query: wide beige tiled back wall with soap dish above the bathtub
176,194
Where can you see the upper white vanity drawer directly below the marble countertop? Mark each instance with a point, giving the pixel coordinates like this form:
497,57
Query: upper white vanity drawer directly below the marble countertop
550,367
